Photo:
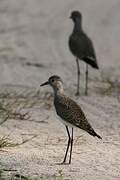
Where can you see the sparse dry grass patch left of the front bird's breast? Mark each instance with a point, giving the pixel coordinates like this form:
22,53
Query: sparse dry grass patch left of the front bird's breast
17,106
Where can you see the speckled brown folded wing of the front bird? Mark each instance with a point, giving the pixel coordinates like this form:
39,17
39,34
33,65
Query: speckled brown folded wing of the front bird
69,111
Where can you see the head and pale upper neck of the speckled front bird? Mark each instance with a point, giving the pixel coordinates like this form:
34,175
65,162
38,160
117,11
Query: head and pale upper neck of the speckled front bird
56,83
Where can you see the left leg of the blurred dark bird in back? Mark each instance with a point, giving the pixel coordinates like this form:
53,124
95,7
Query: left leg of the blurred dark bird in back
78,78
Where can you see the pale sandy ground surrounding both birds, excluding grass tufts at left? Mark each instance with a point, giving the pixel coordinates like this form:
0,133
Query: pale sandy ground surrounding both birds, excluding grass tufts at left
33,46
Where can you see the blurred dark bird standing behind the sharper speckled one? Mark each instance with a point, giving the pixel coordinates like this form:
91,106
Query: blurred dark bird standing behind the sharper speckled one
82,48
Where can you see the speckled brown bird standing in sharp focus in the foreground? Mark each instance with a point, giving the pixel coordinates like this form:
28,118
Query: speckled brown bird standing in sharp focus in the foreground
70,113
